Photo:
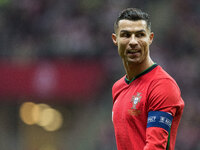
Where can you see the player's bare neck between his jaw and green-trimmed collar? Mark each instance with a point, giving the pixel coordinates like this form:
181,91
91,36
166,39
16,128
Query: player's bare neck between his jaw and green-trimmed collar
132,69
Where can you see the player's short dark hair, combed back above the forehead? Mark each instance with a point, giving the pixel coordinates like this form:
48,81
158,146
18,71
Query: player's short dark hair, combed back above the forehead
133,14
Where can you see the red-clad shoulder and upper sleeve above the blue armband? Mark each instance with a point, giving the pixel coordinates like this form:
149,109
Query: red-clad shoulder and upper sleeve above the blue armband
164,94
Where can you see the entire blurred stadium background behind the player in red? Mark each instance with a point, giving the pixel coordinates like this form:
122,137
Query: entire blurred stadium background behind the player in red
58,65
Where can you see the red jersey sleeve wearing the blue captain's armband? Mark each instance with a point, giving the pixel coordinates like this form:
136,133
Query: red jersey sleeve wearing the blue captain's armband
163,103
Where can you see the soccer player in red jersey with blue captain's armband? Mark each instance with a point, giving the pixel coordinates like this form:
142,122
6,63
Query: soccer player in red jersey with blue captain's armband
147,103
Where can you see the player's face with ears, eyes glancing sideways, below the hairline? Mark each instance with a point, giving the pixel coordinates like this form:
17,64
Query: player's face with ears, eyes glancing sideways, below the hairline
133,40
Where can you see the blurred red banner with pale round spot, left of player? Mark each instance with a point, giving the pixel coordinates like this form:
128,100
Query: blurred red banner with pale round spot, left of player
51,79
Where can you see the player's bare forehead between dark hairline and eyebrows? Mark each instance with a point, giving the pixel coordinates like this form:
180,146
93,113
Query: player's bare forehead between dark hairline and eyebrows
130,25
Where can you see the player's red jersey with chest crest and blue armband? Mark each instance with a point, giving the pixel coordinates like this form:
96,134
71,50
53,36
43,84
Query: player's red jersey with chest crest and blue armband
147,111
